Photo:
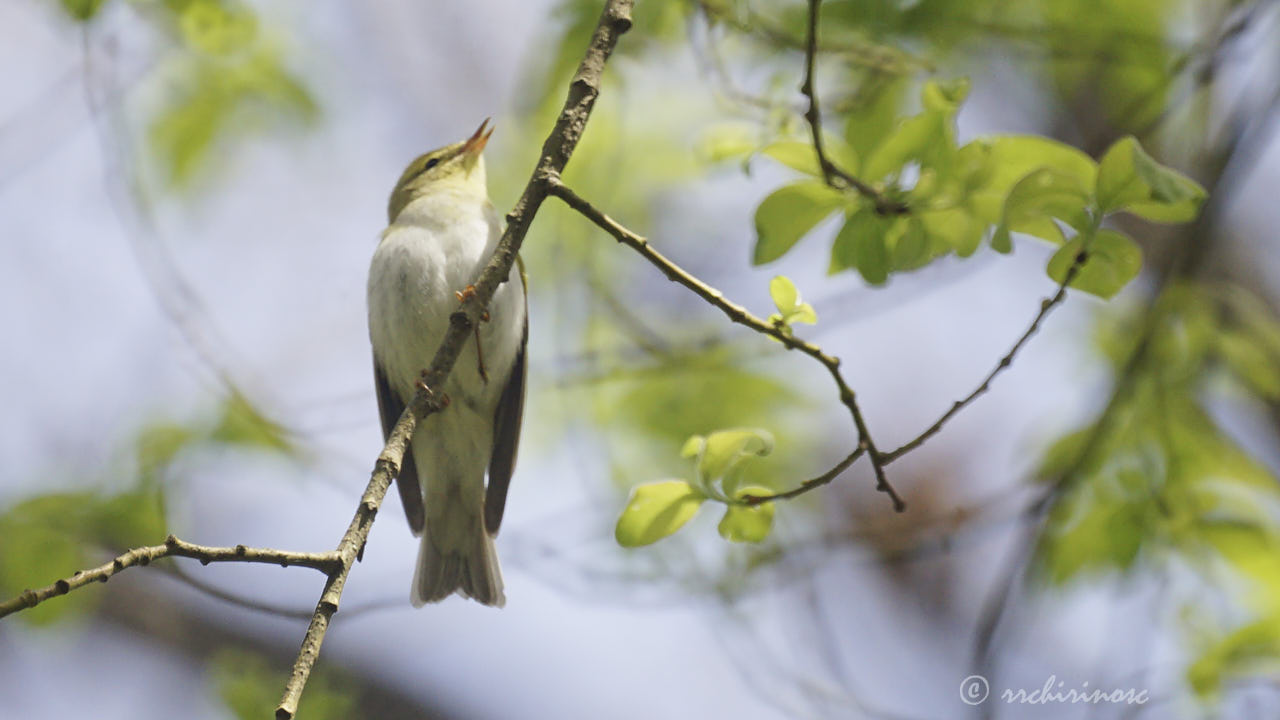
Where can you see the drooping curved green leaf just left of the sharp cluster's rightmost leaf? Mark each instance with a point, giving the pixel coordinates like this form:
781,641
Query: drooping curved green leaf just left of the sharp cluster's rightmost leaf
1036,200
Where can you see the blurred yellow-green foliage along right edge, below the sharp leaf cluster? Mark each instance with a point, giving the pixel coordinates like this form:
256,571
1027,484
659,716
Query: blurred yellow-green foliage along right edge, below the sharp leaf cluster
1158,482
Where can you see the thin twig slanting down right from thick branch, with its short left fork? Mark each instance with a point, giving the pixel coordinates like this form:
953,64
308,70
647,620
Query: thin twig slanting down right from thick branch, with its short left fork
743,317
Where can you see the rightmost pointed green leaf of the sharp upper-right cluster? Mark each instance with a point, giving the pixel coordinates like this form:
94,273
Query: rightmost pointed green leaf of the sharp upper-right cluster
1132,181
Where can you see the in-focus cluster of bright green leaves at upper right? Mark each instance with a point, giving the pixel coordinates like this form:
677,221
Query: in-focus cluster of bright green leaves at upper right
962,197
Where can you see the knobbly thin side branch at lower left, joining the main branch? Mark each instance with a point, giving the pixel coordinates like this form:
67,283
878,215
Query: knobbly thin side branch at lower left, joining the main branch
172,548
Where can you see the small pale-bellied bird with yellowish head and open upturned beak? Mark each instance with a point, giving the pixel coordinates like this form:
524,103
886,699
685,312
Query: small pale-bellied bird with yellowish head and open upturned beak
444,230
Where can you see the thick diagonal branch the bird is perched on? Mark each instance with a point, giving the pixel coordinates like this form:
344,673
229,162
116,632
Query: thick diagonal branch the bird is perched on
615,21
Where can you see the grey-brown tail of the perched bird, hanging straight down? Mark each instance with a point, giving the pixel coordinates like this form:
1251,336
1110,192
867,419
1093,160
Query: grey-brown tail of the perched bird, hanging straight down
458,555
